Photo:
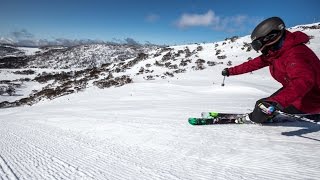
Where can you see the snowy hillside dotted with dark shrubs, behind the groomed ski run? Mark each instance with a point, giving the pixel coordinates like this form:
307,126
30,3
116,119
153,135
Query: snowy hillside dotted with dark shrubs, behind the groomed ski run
70,70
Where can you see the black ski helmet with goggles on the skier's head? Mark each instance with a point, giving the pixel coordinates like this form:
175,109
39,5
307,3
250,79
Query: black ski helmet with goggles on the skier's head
267,33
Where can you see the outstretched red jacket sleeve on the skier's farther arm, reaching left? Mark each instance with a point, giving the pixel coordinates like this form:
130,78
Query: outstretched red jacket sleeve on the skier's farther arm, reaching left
249,66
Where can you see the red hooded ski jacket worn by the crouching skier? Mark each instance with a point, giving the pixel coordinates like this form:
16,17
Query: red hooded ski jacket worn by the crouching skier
296,67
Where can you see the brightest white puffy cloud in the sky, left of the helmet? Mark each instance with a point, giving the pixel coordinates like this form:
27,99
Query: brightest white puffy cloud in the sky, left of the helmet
189,20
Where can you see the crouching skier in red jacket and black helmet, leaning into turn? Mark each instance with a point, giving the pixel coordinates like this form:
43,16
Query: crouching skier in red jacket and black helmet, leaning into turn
291,63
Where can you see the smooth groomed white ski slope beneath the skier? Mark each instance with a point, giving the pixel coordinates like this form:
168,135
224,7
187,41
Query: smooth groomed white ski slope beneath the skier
140,131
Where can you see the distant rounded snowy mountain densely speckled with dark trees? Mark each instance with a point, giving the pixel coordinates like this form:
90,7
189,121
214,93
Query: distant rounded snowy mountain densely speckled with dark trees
85,56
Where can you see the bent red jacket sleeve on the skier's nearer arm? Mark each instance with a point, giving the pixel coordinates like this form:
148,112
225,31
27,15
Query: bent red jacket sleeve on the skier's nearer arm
301,77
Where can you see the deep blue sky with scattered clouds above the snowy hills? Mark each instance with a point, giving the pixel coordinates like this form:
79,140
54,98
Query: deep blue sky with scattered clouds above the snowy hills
157,21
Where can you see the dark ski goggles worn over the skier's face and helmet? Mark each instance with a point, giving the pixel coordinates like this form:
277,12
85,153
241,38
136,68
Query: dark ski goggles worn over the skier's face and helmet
267,40
